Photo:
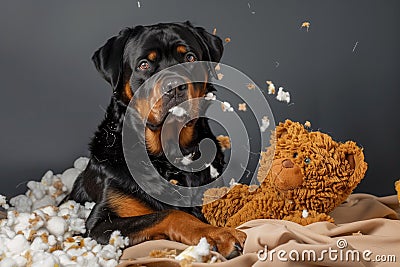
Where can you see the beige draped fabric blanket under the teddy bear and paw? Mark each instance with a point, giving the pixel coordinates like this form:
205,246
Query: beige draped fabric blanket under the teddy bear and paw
366,233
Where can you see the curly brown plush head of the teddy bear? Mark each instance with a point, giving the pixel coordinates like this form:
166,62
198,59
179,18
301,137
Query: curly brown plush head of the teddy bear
311,168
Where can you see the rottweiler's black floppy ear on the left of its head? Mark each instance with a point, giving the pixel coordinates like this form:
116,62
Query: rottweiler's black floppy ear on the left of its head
108,59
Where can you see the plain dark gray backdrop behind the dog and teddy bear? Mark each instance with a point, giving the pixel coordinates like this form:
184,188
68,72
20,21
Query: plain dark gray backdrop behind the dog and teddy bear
51,97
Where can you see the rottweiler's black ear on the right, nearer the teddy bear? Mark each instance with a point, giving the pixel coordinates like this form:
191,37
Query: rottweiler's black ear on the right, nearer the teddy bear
213,43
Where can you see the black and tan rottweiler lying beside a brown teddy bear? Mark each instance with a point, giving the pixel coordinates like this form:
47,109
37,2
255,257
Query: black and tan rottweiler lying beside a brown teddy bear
126,61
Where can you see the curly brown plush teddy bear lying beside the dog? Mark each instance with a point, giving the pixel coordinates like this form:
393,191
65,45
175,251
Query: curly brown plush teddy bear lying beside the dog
310,175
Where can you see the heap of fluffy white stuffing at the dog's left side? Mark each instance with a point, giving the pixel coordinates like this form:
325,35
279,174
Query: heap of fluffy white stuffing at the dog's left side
38,233
